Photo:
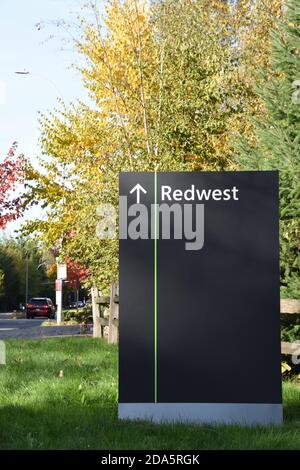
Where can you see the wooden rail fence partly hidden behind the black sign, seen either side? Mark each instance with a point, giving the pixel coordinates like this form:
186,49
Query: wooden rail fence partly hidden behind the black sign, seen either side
102,304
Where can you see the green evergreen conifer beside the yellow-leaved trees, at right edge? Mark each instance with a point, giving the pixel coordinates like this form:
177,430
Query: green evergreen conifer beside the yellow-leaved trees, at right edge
276,142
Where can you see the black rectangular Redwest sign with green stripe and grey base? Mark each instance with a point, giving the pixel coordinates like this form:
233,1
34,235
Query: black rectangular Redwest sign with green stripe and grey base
199,297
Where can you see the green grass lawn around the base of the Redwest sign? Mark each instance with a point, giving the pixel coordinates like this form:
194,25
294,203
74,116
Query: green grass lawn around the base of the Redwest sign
44,408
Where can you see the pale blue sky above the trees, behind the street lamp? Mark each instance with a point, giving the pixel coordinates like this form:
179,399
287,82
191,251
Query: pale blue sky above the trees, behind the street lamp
26,28
